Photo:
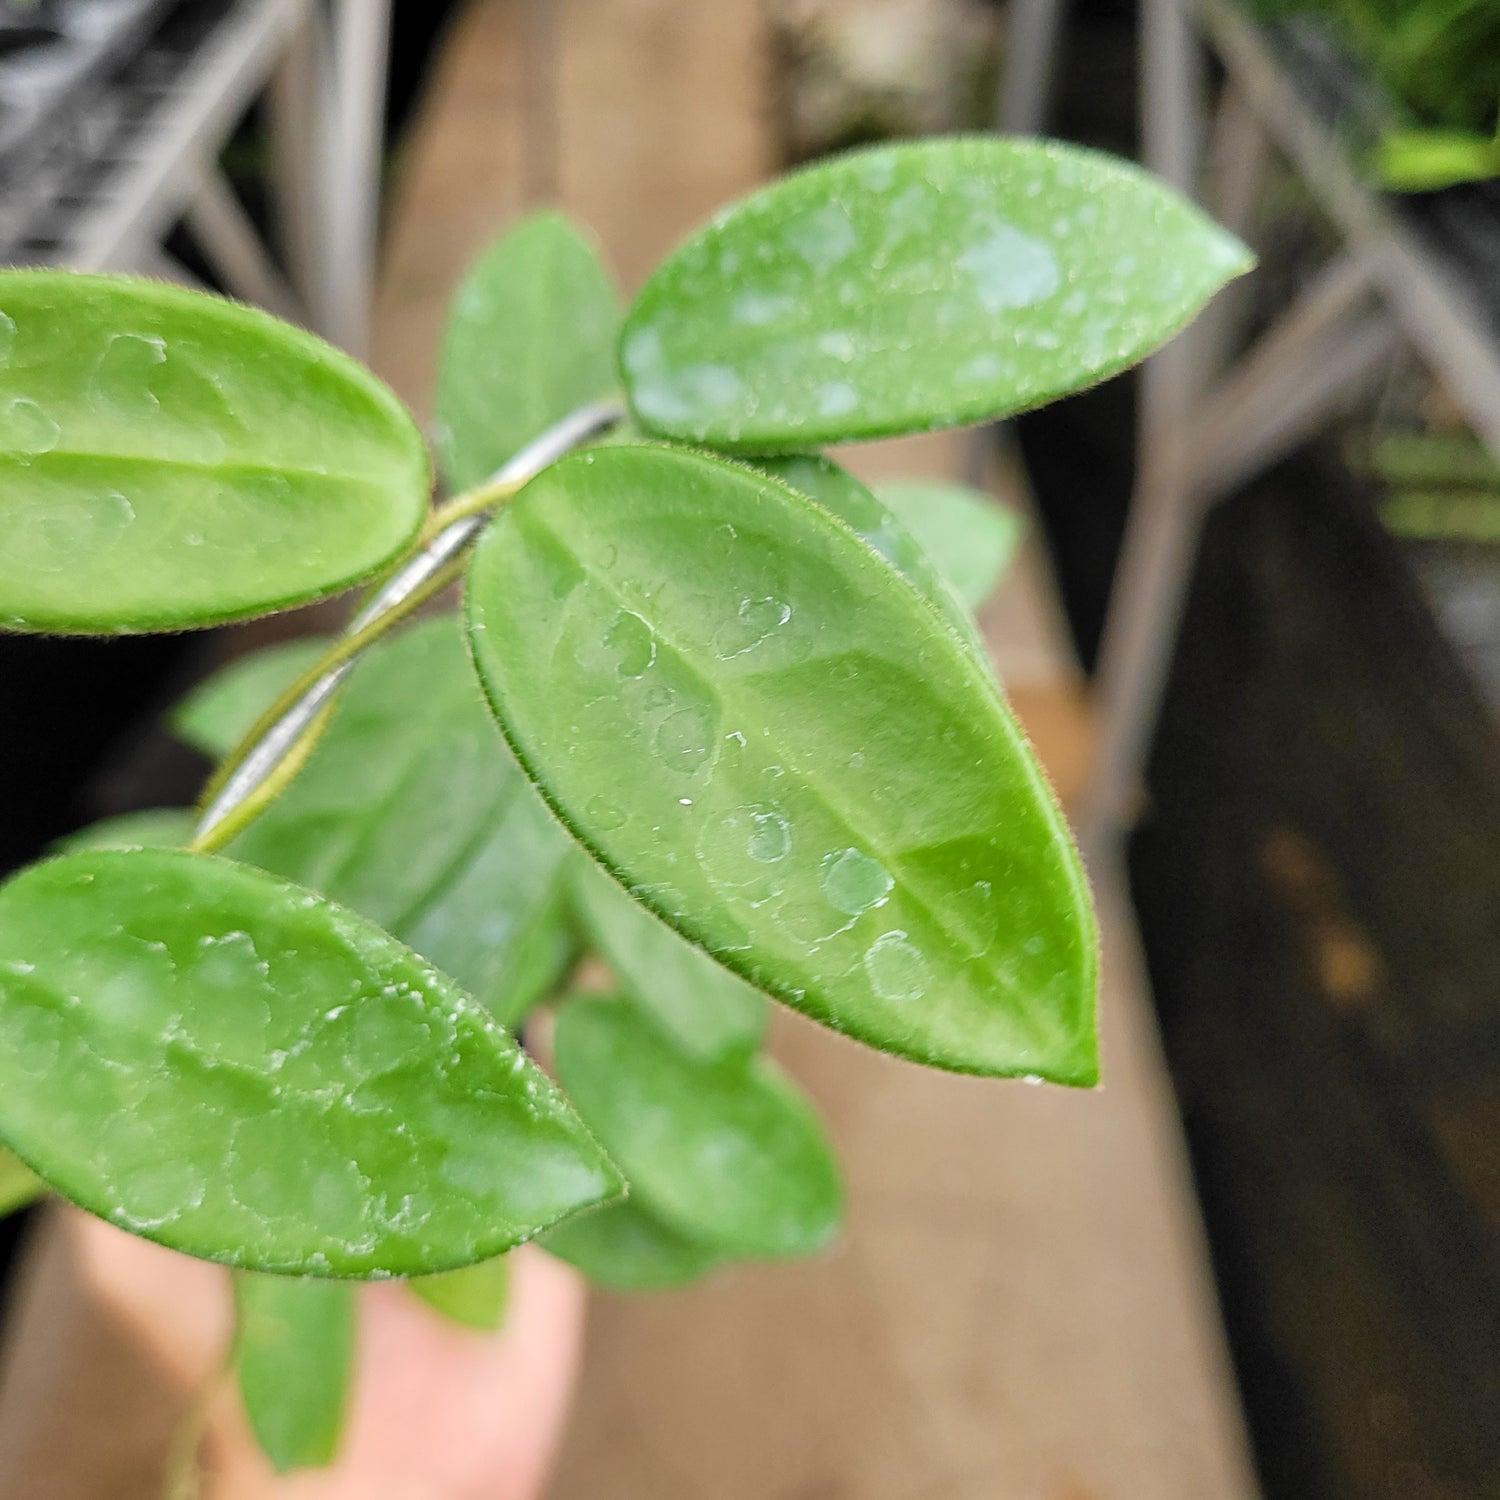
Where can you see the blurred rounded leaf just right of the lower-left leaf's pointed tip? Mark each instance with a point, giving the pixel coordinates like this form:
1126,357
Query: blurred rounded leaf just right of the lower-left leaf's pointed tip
728,1154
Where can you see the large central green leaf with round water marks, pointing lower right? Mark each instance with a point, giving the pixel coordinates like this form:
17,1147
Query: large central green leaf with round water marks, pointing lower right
776,745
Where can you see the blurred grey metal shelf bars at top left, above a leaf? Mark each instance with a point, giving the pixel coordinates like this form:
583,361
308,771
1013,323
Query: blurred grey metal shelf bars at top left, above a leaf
322,65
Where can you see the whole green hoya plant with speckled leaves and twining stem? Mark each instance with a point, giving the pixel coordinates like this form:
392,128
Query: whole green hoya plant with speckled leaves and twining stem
712,712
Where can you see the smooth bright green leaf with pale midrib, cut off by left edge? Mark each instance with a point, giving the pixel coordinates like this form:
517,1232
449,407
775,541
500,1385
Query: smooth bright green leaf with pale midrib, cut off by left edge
170,460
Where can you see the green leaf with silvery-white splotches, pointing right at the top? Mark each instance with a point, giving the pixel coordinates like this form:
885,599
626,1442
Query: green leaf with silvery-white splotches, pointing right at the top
911,287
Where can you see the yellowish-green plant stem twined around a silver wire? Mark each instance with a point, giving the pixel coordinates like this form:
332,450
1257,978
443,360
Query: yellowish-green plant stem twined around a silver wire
271,755
